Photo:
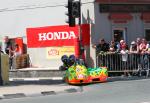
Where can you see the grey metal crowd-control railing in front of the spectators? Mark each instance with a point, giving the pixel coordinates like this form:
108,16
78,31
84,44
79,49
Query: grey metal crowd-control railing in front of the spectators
119,63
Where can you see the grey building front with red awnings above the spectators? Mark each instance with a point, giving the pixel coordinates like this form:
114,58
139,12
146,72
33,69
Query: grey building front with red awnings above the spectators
128,18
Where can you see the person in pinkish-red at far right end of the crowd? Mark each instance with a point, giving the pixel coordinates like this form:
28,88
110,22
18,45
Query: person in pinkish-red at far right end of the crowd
144,46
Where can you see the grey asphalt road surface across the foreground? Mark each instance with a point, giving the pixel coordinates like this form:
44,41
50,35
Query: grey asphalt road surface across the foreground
127,91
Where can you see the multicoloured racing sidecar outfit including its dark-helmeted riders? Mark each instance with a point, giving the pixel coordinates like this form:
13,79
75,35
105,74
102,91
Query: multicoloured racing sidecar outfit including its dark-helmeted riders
77,73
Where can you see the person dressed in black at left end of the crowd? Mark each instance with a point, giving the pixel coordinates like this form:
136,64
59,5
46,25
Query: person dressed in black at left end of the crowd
102,46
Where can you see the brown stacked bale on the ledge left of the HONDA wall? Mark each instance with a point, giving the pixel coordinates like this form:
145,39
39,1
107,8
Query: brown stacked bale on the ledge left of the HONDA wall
21,61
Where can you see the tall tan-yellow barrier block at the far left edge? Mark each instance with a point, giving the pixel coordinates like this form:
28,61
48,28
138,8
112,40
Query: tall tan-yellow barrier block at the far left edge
4,69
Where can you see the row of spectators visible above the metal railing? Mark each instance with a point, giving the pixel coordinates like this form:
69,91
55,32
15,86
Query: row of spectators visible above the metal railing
140,45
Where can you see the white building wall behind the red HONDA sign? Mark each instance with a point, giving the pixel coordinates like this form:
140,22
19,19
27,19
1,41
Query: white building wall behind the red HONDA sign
16,16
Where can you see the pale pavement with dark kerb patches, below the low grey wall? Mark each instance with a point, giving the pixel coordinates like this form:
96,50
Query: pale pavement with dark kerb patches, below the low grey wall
30,87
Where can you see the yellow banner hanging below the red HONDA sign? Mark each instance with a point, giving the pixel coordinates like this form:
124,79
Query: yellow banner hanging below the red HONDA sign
57,52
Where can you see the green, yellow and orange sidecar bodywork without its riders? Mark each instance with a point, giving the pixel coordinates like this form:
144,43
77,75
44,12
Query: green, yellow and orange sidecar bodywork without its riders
79,74
